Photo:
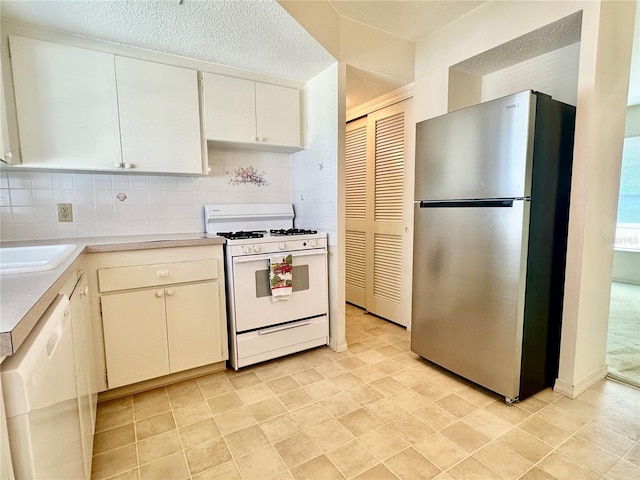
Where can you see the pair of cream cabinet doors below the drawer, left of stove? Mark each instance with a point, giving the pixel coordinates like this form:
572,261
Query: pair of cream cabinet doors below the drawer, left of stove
155,332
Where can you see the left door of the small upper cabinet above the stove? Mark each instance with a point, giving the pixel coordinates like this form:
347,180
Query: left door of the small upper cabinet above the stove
229,108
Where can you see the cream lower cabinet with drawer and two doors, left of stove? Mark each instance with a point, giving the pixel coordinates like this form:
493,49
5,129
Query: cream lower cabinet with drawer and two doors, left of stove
162,311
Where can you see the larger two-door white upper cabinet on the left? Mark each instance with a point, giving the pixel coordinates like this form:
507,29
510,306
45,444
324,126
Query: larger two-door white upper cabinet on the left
81,109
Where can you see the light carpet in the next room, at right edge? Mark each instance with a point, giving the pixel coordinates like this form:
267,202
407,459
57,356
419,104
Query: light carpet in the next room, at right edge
623,343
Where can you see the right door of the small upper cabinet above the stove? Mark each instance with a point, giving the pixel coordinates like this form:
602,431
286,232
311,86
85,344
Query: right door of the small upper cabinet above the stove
277,115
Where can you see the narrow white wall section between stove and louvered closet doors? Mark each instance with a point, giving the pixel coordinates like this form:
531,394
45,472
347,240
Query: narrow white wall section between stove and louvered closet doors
314,177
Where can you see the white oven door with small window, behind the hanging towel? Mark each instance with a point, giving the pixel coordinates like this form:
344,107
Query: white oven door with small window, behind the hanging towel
252,302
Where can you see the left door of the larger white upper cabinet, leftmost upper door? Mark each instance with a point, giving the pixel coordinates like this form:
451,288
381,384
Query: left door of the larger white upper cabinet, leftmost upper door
66,105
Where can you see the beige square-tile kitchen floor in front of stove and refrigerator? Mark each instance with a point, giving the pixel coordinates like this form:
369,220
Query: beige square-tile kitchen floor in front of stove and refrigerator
374,412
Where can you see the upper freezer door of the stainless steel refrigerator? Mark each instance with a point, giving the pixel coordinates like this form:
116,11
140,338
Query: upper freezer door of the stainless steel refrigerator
477,152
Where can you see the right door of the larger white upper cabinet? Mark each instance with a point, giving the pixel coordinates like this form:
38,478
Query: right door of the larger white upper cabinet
159,117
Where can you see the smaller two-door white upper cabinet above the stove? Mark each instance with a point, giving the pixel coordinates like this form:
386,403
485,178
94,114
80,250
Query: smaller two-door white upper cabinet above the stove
251,113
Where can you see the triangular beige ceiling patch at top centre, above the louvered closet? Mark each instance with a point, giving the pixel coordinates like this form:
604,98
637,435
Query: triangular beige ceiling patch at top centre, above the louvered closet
408,19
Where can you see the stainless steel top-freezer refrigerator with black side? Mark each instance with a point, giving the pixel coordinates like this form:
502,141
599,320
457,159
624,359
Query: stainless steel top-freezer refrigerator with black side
490,236
